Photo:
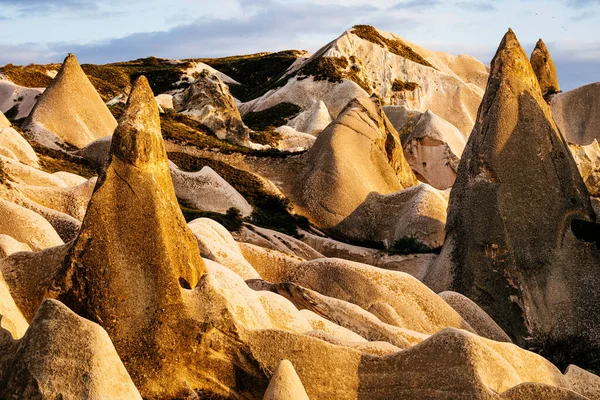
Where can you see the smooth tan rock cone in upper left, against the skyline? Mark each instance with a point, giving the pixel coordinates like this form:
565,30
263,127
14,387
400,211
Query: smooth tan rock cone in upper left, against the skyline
70,109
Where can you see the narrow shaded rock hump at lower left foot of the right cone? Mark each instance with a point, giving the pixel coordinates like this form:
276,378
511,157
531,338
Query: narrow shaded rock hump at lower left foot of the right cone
483,324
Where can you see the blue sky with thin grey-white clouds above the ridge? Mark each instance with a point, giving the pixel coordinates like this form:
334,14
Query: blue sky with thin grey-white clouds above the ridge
114,30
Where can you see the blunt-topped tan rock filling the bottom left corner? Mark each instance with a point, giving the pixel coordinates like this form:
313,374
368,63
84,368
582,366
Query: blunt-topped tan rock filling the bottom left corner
63,356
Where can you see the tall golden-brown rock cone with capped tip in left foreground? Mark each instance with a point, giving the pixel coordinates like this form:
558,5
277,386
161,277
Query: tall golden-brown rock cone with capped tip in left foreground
134,252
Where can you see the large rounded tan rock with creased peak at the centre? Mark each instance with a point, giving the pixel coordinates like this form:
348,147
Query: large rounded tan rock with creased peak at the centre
357,154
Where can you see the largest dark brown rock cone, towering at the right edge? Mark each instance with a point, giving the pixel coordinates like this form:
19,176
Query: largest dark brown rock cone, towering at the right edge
509,239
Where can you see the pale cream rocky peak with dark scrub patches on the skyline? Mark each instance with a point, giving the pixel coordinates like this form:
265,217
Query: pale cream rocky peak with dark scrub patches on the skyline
351,66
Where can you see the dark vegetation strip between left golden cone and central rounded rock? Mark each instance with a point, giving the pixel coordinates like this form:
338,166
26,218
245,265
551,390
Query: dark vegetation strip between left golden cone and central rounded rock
270,210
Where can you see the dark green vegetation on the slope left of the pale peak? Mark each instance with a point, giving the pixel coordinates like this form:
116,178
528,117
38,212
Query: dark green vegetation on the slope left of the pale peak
257,73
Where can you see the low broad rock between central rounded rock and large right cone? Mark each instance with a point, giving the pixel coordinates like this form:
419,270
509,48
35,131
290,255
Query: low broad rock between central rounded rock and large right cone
419,225
